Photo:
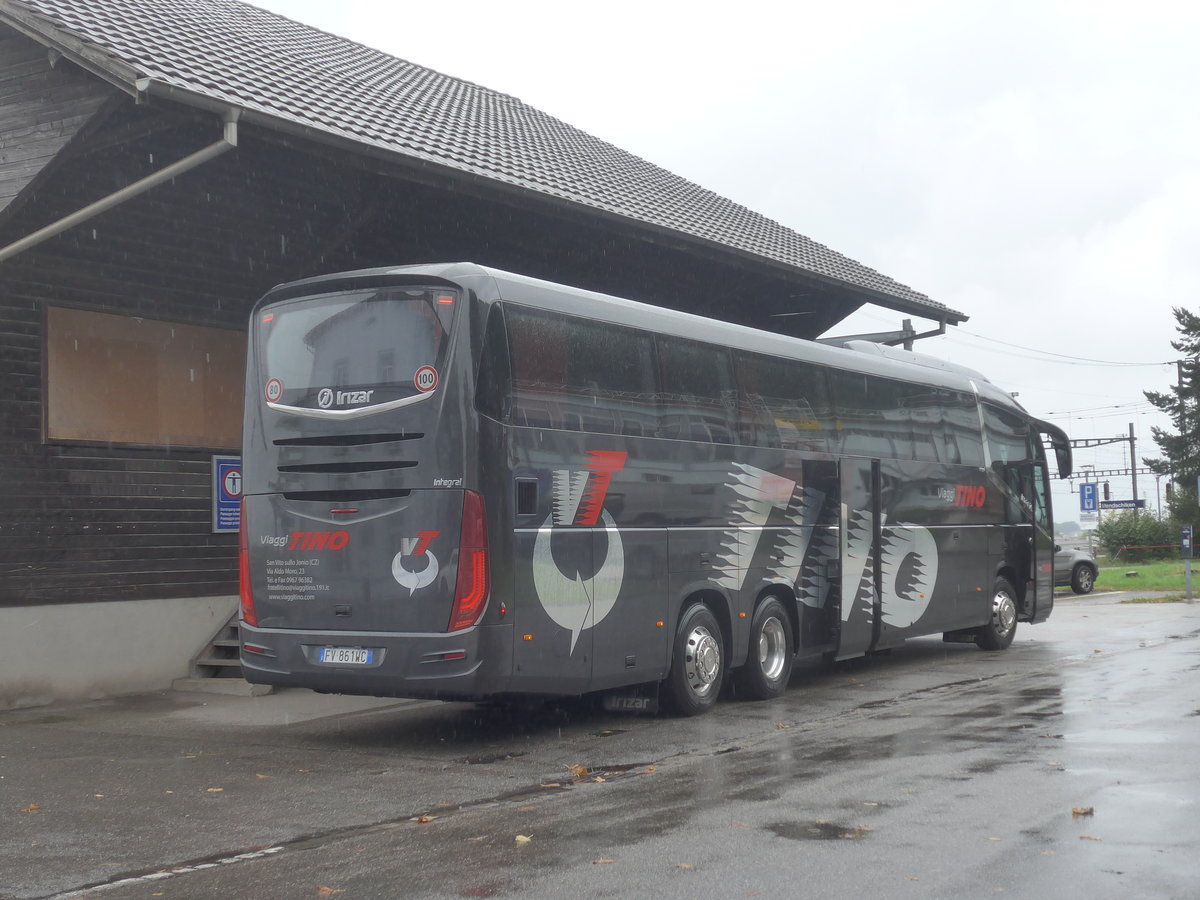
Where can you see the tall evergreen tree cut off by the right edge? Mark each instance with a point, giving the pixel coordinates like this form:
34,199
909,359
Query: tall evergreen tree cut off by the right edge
1181,449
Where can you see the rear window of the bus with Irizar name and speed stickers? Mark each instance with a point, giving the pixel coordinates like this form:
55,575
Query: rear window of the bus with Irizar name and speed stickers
355,350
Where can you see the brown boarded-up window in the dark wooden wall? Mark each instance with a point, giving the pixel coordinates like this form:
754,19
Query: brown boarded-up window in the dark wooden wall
133,381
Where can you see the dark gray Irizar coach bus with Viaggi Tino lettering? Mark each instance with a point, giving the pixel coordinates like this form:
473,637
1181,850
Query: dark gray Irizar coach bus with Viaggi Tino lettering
466,484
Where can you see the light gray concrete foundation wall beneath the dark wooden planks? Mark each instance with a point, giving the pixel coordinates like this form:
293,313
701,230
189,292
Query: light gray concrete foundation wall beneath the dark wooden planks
92,651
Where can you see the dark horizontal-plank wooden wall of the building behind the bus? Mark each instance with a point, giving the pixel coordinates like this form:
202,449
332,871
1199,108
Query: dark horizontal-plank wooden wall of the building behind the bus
82,523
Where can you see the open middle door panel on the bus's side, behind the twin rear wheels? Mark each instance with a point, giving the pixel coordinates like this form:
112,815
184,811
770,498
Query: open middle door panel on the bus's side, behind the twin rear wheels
859,537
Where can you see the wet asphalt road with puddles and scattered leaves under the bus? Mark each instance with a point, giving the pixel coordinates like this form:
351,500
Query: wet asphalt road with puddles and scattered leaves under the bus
937,771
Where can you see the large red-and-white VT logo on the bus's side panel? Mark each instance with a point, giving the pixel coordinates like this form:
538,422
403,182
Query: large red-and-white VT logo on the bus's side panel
577,574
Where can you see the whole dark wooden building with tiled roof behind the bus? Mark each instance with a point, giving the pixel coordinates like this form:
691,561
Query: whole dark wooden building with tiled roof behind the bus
163,164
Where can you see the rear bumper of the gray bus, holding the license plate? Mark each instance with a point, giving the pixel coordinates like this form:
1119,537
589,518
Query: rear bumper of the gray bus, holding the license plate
464,665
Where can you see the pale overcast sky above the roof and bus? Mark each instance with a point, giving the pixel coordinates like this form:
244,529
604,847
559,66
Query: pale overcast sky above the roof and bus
1033,165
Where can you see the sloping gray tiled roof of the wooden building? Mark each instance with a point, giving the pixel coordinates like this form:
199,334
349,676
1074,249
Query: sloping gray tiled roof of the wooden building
249,58
